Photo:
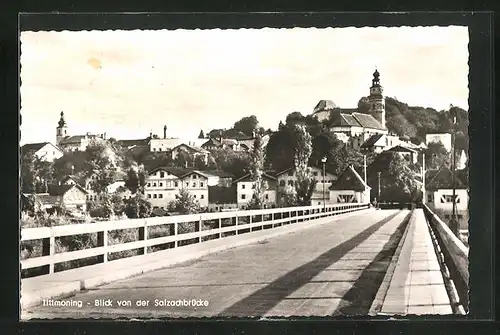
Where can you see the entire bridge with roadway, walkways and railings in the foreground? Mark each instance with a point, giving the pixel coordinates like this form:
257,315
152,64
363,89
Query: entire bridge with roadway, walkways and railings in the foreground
343,259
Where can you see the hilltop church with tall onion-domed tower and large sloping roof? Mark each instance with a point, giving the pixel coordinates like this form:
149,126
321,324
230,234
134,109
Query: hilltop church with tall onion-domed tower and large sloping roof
350,124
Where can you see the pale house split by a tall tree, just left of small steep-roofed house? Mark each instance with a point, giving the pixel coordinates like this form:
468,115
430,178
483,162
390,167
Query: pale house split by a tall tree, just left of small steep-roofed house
288,178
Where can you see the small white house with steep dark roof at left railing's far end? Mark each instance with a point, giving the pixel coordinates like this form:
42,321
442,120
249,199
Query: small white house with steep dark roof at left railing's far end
350,188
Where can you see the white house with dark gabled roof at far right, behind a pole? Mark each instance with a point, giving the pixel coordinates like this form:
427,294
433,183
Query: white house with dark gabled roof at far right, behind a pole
439,194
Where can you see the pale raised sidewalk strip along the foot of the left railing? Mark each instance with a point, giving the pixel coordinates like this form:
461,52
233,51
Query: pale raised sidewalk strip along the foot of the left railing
66,283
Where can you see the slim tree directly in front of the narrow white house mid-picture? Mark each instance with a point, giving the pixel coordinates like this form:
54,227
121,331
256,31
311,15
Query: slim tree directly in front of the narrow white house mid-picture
257,174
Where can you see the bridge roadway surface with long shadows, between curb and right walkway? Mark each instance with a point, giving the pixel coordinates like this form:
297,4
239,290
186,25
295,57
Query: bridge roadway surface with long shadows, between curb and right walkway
334,268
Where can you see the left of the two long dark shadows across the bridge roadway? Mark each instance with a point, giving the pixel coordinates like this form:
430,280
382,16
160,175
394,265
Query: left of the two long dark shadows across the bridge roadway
263,300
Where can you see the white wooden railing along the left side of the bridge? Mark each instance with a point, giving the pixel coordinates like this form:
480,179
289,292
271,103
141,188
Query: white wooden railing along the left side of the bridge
236,222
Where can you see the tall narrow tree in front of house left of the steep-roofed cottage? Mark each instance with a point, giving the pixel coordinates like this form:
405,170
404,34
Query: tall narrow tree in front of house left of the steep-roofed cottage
305,183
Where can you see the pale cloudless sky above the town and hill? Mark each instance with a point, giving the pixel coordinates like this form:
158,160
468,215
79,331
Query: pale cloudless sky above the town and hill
129,83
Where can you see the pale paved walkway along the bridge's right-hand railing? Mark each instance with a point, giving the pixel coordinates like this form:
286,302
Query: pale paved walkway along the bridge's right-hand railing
417,286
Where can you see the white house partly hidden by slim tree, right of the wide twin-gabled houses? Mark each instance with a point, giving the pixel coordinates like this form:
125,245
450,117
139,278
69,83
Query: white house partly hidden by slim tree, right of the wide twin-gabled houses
245,190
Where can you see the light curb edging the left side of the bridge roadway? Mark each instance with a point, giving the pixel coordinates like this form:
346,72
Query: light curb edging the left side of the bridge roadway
166,258
